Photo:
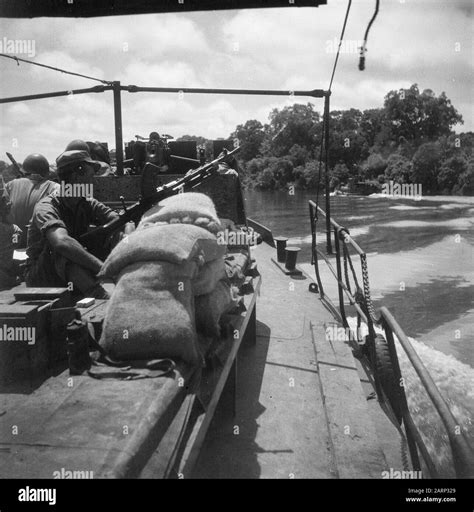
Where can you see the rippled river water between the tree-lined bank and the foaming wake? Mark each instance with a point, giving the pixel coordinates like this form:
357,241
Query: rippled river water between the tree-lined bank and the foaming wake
420,257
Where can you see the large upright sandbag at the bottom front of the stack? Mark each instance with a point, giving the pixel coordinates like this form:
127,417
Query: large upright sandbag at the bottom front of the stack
151,313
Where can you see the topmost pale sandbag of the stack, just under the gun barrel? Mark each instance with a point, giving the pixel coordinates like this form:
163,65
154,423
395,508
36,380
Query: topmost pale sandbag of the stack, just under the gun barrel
186,208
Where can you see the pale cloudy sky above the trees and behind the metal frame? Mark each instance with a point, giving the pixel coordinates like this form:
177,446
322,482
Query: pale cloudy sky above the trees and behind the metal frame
428,42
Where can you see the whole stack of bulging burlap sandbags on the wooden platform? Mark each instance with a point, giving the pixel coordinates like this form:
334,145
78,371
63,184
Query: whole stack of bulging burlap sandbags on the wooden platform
170,279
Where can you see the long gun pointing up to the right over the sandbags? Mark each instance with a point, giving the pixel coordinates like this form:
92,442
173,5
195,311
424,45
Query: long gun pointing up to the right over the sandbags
97,236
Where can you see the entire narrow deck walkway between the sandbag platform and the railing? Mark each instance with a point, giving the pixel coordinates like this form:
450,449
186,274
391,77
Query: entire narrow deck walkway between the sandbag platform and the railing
291,415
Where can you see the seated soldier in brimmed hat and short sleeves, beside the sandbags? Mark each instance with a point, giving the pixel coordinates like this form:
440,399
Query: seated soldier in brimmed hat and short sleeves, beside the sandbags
56,258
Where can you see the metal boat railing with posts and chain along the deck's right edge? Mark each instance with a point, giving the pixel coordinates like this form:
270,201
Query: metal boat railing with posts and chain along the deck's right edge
358,296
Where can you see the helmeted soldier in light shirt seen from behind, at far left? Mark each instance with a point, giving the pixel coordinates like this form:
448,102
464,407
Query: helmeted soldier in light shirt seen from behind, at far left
25,192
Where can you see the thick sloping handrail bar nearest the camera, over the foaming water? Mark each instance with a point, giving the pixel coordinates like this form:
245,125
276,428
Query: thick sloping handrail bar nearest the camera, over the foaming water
463,454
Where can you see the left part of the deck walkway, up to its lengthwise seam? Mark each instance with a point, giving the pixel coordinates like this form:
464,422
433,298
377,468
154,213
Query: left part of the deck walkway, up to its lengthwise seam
280,415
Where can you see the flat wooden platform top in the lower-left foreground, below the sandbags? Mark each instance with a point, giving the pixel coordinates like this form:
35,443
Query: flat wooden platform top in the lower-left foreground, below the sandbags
91,416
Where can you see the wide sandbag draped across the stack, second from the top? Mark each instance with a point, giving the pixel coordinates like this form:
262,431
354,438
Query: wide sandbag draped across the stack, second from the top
169,243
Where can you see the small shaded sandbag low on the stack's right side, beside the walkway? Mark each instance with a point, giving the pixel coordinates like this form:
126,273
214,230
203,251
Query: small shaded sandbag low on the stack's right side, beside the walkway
209,308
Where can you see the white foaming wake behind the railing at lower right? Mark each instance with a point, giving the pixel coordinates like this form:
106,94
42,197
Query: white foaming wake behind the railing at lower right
455,383
